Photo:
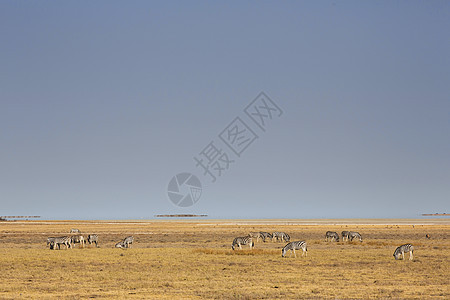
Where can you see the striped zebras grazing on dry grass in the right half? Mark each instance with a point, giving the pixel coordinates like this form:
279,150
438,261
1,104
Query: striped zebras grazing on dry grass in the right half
301,245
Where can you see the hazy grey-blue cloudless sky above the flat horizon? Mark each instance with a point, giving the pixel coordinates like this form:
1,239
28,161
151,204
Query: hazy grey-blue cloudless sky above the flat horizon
102,103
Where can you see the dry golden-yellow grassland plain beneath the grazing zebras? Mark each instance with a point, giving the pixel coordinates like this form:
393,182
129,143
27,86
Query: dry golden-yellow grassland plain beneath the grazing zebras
193,260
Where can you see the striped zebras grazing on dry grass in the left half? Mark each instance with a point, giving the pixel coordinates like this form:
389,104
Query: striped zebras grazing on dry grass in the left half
69,241
